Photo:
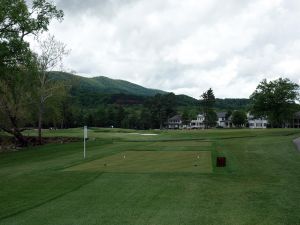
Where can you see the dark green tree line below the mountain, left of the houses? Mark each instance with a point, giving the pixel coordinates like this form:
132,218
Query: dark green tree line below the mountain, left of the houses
151,115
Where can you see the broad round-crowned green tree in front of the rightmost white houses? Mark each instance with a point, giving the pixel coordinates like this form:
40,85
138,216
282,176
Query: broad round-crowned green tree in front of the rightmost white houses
275,100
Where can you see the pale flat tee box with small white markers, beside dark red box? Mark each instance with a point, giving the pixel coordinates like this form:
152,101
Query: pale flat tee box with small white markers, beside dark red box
151,161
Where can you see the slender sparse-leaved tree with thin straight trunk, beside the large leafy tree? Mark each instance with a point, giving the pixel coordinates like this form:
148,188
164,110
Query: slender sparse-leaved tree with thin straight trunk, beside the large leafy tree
50,57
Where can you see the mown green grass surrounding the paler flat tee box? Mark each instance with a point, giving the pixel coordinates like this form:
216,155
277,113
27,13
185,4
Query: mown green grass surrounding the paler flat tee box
260,185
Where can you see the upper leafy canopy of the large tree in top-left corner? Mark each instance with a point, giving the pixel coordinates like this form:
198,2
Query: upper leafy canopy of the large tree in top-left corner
16,22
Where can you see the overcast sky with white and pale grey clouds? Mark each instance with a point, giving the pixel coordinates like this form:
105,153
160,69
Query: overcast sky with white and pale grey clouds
183,46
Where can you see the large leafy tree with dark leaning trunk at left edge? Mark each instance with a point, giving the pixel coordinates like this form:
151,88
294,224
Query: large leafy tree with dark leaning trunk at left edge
17,21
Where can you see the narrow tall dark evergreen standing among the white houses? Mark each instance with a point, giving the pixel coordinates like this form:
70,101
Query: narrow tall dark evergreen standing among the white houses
207,102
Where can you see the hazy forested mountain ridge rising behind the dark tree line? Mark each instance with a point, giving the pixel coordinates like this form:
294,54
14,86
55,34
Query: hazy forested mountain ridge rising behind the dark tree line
92,92
